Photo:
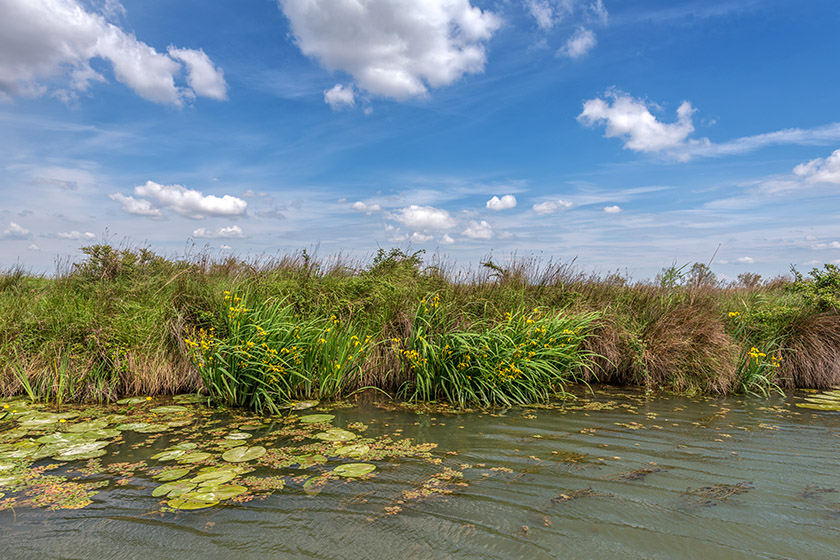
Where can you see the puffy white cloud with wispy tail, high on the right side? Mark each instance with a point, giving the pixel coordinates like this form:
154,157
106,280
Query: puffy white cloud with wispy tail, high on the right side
630,119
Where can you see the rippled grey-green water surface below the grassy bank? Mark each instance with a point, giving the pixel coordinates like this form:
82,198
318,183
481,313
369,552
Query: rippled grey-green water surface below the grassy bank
616,475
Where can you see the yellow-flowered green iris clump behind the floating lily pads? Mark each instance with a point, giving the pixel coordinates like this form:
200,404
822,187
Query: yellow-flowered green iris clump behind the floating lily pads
264,355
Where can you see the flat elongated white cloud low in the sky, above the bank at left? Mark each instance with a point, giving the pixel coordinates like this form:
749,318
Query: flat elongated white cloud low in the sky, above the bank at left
191,203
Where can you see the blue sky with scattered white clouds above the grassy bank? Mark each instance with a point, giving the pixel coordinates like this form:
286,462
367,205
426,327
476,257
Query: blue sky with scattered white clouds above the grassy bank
628,135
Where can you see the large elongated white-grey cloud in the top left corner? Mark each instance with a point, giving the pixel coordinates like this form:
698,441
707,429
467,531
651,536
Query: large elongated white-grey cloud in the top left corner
43,39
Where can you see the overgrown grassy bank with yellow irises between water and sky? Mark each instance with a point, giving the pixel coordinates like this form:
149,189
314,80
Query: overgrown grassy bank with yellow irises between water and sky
126,321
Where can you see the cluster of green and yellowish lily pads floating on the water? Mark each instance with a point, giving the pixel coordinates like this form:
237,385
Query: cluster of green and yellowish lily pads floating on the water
195,459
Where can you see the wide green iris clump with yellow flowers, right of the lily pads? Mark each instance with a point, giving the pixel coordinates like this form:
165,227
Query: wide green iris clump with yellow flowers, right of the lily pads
526,357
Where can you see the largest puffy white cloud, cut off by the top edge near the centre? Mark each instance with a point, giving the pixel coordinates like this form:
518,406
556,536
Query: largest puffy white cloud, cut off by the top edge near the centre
394,48
